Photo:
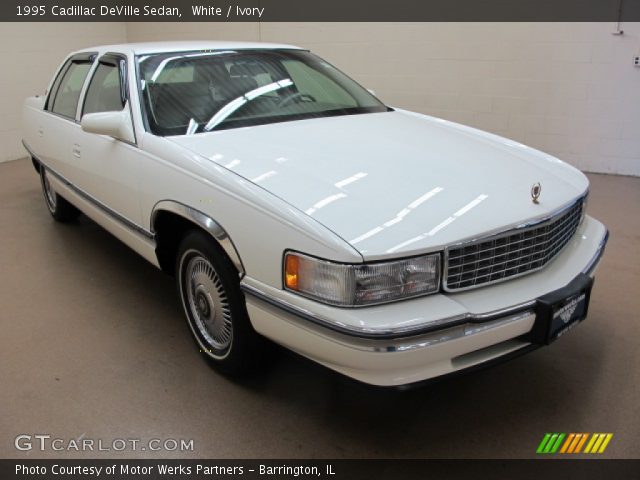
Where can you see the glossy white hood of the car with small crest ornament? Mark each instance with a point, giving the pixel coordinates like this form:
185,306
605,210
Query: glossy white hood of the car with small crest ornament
395,183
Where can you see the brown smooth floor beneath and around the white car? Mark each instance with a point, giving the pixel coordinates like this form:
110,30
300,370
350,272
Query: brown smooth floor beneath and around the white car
93,343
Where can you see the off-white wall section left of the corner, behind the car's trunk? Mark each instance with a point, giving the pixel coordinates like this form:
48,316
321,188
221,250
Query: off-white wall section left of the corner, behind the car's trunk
31,52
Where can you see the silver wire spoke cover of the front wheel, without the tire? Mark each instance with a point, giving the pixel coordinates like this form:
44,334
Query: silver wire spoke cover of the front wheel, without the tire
207,301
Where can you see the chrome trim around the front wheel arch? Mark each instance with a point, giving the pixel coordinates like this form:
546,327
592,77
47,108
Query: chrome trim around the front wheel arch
203,221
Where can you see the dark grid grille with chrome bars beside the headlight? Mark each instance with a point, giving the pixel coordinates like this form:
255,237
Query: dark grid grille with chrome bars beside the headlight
510,254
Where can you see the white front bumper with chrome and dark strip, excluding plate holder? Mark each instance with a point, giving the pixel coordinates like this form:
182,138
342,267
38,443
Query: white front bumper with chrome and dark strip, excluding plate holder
414,340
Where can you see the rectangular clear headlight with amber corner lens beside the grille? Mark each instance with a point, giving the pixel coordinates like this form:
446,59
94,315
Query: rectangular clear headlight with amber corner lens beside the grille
361,284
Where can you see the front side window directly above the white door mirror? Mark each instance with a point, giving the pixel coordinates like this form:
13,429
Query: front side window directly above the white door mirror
105,92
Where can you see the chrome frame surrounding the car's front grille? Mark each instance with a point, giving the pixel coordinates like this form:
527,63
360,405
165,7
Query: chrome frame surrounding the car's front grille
505,232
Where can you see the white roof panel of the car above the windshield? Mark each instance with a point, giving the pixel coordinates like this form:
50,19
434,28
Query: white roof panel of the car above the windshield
184,46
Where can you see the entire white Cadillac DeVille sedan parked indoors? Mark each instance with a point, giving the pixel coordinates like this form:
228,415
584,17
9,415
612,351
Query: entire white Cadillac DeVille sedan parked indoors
290,203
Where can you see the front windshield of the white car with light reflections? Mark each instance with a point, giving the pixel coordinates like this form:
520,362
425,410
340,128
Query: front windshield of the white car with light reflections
194,92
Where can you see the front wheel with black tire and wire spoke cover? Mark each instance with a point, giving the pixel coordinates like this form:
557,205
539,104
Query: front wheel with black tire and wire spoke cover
214,306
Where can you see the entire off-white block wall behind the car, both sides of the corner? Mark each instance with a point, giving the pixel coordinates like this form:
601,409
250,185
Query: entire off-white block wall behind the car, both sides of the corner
566,88
